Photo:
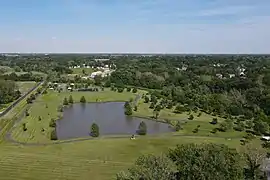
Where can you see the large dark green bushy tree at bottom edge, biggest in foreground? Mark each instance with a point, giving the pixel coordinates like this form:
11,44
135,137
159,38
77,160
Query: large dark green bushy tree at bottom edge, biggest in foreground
206,161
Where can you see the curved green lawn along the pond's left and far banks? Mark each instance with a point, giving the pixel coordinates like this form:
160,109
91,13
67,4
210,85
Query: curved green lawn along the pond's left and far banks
46,107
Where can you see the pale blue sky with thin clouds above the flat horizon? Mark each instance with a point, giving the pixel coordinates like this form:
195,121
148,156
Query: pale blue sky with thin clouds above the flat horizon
135,26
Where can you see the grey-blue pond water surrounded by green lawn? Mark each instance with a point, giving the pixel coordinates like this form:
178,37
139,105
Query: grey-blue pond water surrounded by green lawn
110,117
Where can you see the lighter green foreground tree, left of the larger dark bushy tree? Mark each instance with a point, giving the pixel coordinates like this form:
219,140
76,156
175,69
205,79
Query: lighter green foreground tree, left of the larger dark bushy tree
150,167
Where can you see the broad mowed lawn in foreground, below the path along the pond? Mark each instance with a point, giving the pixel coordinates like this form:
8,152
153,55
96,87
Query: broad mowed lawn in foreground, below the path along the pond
98,159
